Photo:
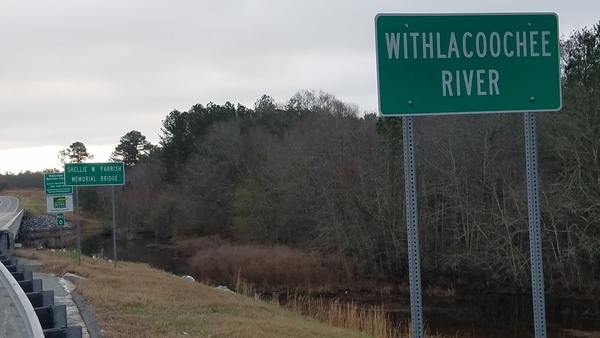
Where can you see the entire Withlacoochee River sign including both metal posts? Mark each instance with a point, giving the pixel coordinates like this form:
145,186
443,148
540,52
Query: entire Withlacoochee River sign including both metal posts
431,64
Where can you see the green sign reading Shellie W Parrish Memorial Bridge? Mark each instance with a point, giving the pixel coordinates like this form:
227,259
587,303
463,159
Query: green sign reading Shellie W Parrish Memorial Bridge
94,174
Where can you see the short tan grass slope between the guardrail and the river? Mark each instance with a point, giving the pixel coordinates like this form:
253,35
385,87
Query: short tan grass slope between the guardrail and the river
135,300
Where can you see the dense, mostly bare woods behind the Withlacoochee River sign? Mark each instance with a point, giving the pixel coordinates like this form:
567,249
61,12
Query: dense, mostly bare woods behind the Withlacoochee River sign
318,174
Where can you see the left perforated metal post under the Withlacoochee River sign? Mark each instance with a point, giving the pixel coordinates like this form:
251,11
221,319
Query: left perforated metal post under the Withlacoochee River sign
412,226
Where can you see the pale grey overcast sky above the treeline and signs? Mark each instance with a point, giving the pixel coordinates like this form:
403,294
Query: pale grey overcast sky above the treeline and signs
91,71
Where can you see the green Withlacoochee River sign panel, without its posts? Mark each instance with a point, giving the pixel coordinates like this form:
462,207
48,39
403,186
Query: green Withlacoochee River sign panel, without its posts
467,63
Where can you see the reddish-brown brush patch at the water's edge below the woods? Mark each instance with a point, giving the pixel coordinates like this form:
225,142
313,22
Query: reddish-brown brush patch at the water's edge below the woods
265,267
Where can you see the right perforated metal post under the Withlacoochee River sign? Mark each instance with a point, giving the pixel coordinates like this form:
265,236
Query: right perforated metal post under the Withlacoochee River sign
535,231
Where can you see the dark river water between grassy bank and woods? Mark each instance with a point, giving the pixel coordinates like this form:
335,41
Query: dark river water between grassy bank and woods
478,316
